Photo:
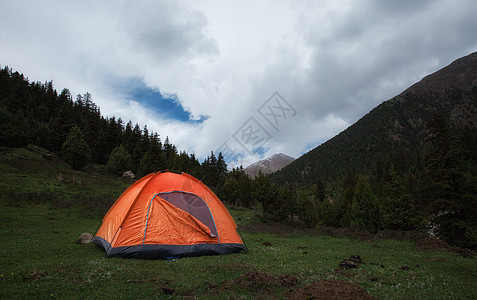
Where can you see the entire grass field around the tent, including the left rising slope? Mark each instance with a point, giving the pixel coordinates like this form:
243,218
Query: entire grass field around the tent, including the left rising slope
39,257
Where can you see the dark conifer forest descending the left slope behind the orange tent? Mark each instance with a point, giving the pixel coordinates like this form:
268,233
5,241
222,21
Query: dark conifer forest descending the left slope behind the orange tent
75,129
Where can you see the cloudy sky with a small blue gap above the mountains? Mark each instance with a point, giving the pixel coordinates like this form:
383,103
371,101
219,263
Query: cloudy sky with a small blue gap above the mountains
248,78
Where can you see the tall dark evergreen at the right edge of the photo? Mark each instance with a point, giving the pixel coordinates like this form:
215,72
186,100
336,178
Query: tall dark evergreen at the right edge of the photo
451,188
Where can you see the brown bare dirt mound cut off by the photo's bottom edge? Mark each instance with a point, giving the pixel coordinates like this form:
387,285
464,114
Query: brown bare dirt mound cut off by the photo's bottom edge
331,289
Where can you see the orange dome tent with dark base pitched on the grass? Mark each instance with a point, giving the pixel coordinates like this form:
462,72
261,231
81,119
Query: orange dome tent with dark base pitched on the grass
167,214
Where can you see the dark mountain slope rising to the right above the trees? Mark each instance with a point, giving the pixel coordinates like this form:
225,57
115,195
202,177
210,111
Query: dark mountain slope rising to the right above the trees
395,128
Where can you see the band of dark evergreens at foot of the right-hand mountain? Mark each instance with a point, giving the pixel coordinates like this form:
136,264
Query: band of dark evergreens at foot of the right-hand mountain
434,190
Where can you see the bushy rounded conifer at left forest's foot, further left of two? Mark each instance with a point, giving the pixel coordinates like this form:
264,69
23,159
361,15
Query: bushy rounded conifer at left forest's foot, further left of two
75,150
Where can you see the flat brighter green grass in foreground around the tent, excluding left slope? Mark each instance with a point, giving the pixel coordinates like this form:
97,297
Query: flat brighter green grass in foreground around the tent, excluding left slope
39,259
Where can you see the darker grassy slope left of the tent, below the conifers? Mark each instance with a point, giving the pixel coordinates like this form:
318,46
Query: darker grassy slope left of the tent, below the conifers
29,178
